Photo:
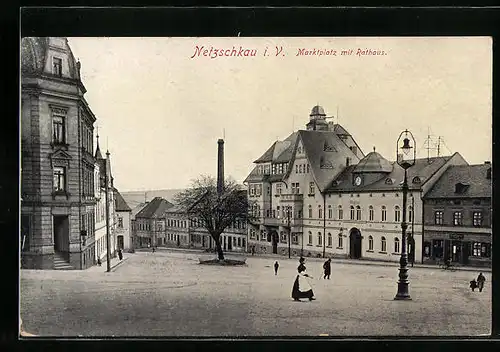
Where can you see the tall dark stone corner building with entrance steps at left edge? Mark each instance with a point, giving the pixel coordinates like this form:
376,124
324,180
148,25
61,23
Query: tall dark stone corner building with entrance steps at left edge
57,162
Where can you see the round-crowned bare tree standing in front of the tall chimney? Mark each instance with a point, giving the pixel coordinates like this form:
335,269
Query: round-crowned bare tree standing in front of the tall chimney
216,211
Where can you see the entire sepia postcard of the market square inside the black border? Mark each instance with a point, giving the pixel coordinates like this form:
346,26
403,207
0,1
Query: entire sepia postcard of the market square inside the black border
168,194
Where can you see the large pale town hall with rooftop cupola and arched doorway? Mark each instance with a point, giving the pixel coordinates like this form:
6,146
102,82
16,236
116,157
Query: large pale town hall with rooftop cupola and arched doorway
318,194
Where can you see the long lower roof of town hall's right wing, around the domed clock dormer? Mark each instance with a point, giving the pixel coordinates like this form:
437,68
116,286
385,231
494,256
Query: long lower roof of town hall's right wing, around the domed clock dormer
417,175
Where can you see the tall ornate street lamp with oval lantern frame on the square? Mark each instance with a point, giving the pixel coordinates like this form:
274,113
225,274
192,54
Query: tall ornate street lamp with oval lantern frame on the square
406,155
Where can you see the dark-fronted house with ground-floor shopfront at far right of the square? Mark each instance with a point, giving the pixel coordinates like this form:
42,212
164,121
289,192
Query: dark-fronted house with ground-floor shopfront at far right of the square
457,216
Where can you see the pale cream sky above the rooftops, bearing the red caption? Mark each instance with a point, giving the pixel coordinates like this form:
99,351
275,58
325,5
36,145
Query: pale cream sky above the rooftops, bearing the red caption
162,103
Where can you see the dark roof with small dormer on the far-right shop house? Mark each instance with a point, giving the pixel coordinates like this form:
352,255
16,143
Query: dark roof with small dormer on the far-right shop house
472,176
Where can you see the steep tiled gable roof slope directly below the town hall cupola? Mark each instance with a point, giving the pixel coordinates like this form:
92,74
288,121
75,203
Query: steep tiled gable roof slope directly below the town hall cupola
314,143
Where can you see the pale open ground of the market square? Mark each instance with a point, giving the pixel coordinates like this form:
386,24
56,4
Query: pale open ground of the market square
169,294
